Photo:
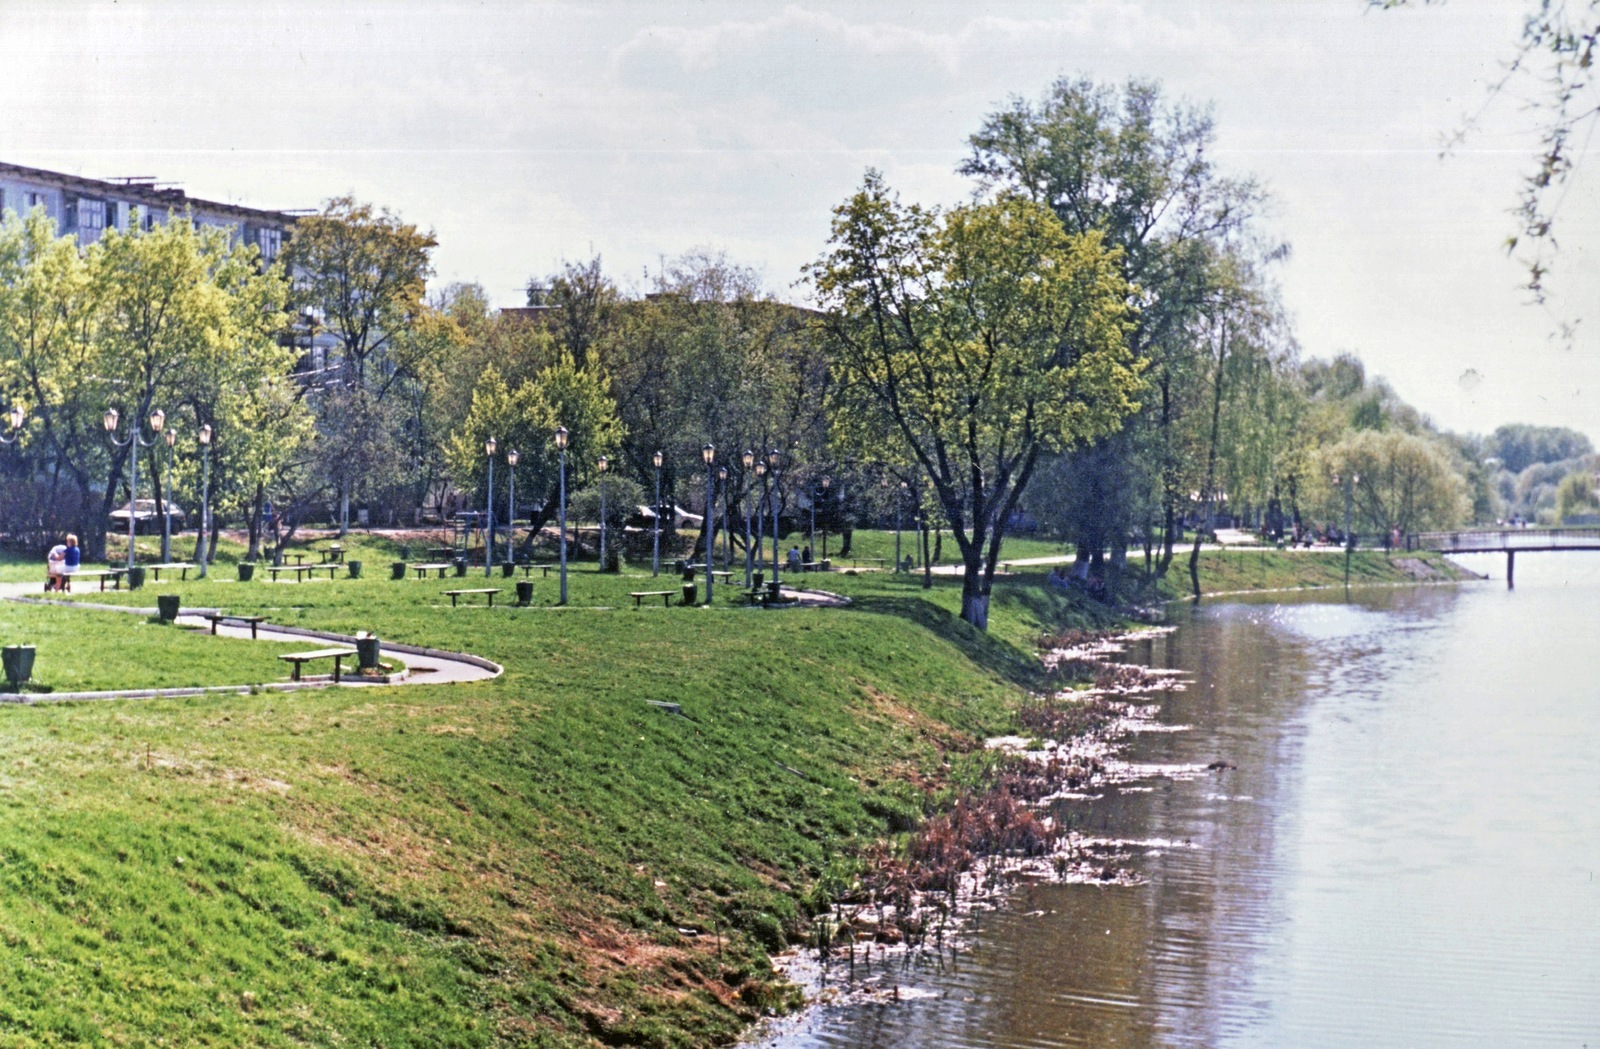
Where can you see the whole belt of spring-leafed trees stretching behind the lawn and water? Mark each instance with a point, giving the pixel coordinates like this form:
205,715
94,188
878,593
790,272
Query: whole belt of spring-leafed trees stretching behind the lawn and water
1092,348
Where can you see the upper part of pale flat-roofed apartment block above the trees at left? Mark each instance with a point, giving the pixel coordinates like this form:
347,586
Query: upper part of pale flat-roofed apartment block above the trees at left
89,207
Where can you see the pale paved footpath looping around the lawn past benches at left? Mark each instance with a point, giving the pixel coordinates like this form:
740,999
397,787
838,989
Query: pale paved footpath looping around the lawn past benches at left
425,666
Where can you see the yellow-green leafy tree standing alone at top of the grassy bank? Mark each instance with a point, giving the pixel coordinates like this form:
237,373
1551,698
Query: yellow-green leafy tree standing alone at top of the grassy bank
974,343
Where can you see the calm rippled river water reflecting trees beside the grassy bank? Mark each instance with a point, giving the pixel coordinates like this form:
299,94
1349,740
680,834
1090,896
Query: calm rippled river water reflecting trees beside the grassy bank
1407,853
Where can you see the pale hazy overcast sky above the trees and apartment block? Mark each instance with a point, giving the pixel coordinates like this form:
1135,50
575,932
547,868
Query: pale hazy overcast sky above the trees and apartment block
527,135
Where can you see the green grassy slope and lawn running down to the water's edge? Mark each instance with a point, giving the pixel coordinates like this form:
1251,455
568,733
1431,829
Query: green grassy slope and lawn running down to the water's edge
545,860
